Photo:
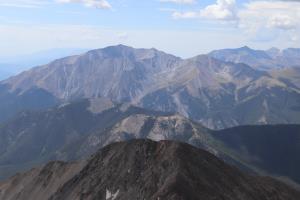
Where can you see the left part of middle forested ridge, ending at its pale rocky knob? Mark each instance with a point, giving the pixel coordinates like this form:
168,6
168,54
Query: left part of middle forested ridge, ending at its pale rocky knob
76,130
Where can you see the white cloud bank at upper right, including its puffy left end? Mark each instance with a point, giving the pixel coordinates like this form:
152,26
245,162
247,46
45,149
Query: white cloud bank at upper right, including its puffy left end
254,17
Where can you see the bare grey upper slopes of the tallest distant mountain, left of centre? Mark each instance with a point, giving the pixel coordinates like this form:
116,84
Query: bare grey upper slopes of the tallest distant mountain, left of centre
120,73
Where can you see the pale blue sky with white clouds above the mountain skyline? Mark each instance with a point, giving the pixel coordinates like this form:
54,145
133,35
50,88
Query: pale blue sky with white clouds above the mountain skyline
182,27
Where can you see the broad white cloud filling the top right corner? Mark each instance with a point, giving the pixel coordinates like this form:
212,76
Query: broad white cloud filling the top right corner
280,18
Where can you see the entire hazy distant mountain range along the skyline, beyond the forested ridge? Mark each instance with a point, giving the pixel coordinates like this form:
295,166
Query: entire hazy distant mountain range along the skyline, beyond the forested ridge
214,92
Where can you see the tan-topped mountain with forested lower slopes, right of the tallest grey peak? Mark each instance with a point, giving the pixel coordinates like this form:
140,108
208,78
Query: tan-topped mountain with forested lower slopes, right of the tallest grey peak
219,95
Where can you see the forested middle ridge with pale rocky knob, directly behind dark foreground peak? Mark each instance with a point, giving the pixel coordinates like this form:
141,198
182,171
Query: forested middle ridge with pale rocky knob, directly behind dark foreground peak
77,130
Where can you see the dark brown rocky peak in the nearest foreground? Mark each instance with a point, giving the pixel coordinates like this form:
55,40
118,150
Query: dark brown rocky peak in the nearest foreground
142,169
